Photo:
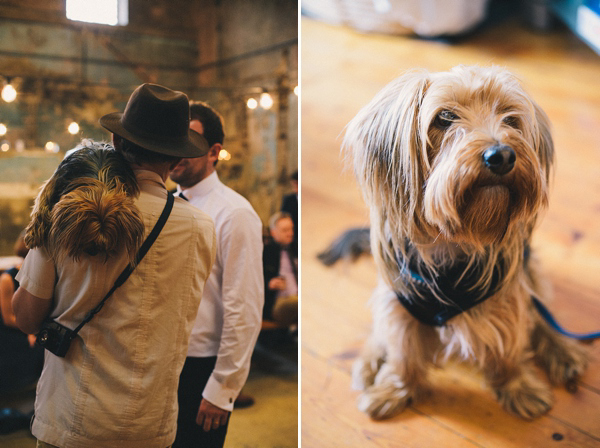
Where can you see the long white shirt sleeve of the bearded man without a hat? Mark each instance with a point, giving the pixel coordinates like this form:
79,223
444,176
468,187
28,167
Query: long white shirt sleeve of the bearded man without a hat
240,246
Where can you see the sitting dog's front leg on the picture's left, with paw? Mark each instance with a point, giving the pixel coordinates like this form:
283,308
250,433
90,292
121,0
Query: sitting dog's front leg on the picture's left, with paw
392,369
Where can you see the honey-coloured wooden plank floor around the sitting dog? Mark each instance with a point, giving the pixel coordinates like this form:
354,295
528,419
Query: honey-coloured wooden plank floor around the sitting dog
341,71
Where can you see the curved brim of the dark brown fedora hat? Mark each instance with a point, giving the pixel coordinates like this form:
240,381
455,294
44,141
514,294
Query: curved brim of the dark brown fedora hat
195,145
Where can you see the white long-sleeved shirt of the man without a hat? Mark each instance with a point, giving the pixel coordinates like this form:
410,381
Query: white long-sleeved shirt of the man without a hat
230,313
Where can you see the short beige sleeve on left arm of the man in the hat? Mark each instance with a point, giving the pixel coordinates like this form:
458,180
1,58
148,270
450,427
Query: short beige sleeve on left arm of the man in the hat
38,274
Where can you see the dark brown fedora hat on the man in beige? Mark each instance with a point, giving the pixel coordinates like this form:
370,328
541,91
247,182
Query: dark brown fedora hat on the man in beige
158,119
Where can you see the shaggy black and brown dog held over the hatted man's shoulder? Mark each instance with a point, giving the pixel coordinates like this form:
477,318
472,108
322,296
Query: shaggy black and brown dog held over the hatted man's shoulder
87,207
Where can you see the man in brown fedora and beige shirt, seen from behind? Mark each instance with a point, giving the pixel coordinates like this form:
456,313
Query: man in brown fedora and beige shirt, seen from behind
117,384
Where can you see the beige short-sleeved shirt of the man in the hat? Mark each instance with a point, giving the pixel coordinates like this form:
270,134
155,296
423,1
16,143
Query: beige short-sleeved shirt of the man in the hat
117,385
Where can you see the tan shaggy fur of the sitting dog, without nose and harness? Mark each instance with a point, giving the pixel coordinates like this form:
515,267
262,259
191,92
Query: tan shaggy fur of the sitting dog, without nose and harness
421,172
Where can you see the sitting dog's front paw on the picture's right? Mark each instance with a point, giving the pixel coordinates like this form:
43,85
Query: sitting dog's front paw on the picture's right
525,396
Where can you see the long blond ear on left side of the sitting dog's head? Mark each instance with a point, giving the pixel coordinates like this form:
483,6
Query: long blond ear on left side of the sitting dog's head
389,153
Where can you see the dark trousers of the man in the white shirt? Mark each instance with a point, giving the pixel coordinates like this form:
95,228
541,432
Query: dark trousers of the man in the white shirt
193,379
